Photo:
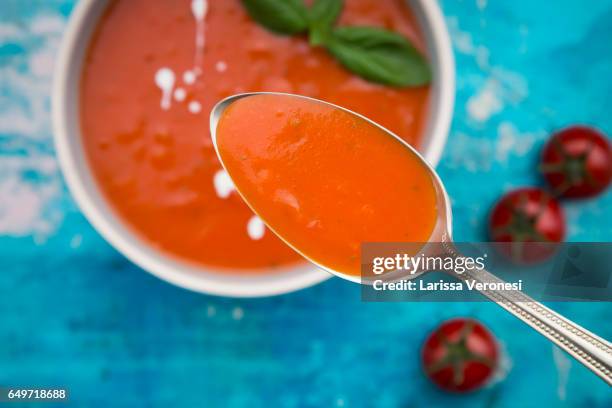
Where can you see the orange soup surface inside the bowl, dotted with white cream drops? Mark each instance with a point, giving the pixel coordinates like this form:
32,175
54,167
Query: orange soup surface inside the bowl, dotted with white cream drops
153,71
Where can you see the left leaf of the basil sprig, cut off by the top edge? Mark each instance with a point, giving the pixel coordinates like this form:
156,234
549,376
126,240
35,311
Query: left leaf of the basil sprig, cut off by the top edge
281,16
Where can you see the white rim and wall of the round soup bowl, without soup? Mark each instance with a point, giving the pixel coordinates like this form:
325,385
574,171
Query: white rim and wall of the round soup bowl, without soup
90,199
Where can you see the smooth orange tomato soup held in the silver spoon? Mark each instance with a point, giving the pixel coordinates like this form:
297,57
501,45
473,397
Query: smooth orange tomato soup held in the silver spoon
323,179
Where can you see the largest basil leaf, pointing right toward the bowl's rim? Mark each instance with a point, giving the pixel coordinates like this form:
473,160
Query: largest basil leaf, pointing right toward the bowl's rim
379,56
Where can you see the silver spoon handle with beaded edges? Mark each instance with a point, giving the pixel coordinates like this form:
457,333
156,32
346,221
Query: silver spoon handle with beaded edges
591,350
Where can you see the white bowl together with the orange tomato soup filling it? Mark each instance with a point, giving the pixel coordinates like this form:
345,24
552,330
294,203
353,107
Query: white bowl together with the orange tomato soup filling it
134,88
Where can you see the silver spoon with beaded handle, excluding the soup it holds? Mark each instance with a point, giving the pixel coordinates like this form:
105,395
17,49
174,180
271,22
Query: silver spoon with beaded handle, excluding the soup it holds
592,351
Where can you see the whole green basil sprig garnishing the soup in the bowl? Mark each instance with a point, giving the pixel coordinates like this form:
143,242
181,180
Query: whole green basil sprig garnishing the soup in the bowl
375,54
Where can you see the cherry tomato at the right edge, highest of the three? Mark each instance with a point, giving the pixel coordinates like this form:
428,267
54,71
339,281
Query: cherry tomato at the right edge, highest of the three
577,162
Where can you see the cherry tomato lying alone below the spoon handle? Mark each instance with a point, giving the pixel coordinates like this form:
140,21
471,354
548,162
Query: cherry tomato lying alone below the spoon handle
460,355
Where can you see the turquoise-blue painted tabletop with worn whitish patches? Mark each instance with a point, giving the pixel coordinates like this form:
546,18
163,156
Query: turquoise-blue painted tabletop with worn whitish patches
75,313
